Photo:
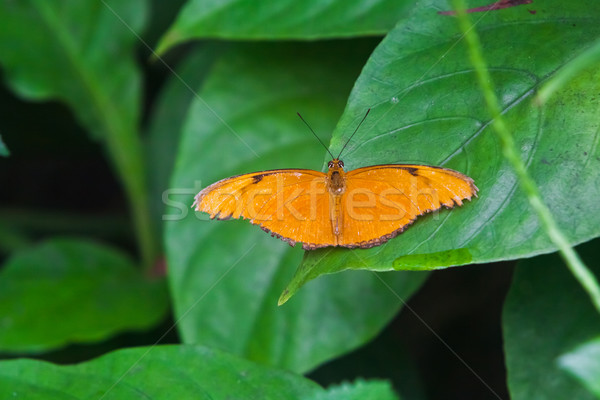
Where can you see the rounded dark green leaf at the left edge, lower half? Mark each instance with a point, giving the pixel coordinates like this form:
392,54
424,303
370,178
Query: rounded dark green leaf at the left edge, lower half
73,291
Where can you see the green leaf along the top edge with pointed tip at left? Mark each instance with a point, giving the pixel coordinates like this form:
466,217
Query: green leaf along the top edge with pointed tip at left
284,19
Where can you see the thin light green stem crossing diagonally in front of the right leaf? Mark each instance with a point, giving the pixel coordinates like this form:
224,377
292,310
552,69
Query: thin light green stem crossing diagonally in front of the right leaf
577,267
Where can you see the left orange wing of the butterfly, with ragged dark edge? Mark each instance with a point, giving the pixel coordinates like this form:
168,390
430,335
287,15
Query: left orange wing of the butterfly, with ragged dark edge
291,204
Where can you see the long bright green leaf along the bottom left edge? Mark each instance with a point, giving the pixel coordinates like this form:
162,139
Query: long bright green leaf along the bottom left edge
160,372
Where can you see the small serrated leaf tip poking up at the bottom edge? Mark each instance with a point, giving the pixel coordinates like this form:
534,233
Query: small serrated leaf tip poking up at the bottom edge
359,390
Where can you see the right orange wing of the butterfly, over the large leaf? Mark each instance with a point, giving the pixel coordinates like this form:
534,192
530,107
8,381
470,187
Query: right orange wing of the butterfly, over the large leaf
381,201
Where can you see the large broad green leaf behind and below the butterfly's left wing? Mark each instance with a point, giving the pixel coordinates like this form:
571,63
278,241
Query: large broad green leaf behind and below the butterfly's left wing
225,276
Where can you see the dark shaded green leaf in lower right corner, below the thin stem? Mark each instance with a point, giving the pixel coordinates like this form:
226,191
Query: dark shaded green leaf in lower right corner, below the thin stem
545,315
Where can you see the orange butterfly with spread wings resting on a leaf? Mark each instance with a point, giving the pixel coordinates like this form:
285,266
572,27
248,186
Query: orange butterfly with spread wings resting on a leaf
363,208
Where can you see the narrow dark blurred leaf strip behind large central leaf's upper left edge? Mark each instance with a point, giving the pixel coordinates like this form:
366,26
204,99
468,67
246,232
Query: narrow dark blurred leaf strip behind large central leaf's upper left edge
167,120
